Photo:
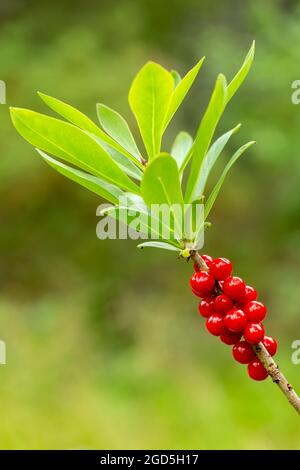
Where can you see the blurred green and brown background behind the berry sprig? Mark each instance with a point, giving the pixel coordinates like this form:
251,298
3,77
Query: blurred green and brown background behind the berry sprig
105,348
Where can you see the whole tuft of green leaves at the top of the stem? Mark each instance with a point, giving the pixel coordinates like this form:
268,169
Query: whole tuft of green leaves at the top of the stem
106,160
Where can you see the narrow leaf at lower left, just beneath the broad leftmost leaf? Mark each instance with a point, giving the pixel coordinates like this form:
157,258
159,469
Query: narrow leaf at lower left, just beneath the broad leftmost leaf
92,183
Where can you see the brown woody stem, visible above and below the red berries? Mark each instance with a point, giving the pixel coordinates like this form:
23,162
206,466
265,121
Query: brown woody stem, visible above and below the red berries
263,355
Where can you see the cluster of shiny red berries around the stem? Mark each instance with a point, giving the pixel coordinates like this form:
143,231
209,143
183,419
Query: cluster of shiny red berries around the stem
232,311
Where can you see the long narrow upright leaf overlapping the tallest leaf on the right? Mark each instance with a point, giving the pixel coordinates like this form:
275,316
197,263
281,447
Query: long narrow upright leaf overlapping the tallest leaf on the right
204,135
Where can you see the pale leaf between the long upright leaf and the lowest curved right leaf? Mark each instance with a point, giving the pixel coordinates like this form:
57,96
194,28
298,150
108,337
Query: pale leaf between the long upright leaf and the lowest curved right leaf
212,156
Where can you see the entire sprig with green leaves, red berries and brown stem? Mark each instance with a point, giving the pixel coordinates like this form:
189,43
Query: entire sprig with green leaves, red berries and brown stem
107,161
